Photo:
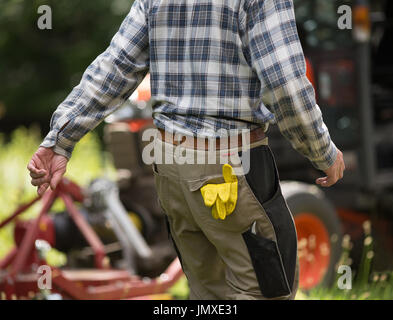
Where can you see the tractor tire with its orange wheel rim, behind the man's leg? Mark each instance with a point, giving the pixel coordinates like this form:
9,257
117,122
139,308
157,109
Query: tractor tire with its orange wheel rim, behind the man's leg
319,233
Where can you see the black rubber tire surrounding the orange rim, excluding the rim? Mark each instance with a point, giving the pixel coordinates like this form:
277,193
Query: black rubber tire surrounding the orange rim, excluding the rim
303,198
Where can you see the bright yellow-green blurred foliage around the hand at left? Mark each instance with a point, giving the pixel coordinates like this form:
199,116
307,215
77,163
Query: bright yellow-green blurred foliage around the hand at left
88,162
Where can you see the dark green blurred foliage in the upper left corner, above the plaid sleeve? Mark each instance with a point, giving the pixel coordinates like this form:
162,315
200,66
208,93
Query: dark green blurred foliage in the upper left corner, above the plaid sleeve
38,68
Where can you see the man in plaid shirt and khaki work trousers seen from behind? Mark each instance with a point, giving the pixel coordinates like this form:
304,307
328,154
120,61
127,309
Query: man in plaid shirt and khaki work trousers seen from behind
215,66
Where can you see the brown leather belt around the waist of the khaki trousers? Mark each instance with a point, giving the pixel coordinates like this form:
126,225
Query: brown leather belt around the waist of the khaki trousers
203,143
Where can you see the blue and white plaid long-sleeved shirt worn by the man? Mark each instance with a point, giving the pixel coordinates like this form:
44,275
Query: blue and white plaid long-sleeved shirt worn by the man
214,64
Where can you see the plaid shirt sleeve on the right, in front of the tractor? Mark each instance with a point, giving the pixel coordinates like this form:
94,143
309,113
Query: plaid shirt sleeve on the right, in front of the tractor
270,35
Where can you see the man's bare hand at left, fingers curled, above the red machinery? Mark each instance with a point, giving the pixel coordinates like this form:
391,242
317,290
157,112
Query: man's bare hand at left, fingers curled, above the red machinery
46,169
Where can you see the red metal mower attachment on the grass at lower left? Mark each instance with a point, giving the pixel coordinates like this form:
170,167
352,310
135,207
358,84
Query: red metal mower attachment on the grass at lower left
19,269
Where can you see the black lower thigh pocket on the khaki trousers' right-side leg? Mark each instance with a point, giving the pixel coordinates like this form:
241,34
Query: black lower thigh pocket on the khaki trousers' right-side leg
267,265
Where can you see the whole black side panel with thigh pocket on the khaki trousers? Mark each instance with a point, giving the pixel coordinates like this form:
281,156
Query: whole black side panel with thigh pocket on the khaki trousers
276,271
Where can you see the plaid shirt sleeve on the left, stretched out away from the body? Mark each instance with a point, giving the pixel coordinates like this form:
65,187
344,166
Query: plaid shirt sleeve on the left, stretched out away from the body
106,84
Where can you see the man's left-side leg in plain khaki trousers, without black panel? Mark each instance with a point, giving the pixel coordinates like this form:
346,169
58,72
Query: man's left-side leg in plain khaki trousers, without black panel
203,267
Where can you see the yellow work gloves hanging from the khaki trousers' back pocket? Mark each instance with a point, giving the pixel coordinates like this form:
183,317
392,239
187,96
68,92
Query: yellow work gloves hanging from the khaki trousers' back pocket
221,197
